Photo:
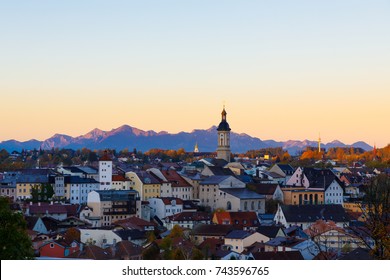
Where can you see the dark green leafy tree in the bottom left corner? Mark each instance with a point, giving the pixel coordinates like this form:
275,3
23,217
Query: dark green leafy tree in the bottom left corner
15,244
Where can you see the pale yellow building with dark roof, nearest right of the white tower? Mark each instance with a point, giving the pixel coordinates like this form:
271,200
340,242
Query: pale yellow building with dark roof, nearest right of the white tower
145,183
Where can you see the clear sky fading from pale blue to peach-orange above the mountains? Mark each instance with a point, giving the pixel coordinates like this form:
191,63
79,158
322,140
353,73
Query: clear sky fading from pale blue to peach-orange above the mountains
284,69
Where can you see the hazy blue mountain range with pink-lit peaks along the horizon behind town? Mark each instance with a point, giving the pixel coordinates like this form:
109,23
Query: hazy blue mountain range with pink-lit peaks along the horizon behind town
130,137
